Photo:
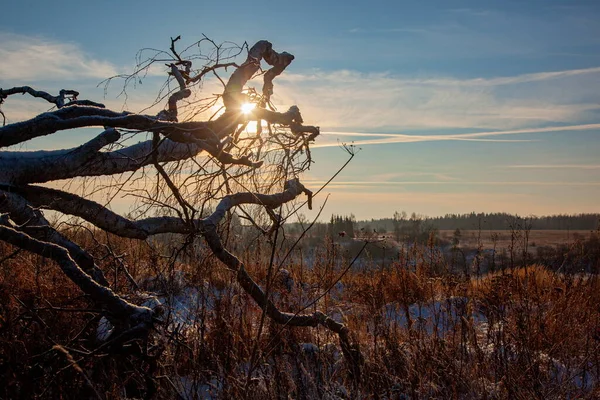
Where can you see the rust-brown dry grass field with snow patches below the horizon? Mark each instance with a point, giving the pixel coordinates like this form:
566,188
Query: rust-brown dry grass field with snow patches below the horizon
427,328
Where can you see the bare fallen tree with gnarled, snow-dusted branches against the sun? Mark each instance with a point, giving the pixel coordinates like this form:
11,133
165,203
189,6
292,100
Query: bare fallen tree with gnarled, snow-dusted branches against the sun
195,174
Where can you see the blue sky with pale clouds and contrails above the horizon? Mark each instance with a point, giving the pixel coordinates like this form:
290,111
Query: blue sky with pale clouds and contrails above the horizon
455,106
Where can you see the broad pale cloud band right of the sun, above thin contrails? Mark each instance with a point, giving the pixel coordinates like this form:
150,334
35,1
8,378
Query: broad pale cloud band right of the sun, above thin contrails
343,99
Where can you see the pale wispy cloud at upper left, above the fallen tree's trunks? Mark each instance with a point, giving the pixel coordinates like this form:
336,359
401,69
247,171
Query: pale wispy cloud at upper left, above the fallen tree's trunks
51,65
